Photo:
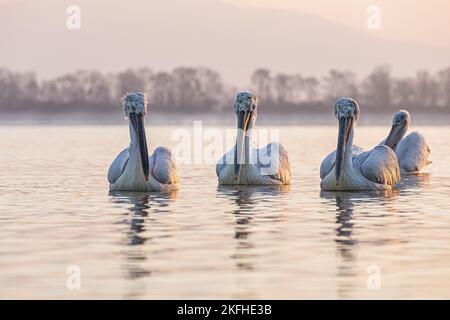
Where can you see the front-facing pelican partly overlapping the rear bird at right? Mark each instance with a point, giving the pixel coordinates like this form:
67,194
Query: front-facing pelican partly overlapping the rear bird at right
350,169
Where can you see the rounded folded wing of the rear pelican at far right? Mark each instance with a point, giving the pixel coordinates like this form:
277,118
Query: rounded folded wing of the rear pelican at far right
413,152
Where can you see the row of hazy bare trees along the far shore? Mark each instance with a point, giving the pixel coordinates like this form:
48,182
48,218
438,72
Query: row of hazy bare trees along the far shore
202,89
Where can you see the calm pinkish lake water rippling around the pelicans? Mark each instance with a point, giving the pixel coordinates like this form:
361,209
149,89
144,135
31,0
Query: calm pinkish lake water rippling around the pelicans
209,242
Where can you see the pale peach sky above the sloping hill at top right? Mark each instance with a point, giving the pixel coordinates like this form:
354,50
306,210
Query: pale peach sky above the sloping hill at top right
415,21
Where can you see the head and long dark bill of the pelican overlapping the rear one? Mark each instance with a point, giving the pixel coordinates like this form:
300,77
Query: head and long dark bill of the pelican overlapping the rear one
346,111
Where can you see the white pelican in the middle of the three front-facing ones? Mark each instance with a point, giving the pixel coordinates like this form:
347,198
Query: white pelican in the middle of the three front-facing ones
243,165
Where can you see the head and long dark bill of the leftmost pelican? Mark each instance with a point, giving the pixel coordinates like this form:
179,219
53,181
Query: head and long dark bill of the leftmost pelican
135,108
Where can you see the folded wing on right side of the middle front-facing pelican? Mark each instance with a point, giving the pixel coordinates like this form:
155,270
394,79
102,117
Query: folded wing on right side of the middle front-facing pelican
273,161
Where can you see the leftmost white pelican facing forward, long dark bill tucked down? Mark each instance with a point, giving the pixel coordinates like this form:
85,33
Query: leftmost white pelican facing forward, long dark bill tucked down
133,170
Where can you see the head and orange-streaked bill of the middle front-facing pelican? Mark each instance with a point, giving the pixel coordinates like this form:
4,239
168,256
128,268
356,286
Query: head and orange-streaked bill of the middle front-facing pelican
245,107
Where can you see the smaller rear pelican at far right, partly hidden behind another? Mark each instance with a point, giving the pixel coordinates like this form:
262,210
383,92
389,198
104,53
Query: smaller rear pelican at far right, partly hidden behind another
412,151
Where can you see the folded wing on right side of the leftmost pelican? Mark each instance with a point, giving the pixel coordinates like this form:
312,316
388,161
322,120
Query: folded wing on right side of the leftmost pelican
163,166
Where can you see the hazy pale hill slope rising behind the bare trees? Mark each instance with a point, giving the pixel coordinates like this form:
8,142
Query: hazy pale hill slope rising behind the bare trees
117,34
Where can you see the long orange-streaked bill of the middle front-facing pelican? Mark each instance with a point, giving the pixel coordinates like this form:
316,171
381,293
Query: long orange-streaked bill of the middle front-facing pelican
244,120
